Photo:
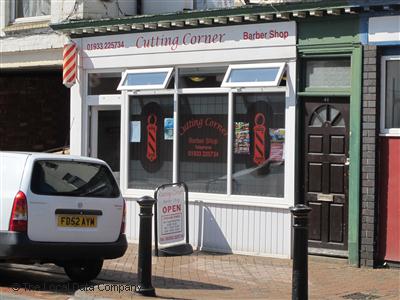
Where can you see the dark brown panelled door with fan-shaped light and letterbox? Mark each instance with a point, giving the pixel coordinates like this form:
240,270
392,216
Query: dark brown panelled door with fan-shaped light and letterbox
325,172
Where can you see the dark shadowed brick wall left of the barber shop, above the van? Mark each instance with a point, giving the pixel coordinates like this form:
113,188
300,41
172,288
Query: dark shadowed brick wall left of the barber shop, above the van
34,111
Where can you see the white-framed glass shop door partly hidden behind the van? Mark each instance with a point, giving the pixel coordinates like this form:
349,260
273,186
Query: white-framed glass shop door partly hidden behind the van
105,136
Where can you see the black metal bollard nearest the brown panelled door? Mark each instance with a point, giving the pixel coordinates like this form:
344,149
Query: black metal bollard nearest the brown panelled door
300,252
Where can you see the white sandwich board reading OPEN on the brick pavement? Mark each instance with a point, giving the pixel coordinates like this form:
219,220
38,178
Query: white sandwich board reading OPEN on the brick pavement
172,220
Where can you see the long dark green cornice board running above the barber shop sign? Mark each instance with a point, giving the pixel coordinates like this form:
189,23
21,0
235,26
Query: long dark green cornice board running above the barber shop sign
187,15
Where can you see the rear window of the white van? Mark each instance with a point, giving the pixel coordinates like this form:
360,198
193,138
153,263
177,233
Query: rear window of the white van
73,178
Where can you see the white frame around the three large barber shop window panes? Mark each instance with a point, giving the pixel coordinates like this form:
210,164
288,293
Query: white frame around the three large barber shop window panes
226,198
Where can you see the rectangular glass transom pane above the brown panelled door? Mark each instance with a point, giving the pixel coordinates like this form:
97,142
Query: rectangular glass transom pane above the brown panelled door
334,73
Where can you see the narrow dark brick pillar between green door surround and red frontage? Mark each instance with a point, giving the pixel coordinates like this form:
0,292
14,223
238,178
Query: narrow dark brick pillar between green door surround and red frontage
369,156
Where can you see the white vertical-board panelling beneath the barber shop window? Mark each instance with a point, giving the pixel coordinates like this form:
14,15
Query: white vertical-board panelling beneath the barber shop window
230,228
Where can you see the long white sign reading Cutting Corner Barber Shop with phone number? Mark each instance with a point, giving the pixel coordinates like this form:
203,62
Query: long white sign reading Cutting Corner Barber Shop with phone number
225,37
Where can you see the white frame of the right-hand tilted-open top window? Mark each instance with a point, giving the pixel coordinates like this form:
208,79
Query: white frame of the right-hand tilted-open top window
275,82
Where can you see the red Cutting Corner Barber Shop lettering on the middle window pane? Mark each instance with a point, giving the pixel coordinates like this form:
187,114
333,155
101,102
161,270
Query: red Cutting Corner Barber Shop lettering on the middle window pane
203,137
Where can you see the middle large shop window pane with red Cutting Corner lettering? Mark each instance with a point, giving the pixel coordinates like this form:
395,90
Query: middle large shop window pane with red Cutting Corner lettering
203,133
